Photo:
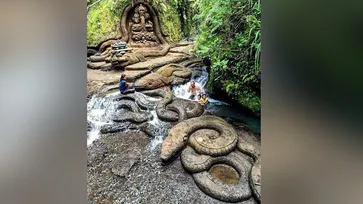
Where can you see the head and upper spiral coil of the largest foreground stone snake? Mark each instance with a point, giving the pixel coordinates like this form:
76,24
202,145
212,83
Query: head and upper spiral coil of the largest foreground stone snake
206,134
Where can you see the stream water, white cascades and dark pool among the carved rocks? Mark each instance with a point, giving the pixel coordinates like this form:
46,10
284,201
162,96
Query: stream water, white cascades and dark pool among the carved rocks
100,110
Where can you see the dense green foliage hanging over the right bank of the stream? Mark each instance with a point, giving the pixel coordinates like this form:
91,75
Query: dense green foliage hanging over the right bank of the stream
230,34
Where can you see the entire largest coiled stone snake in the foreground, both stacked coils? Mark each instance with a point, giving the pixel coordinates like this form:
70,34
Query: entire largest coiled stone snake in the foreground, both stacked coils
208,141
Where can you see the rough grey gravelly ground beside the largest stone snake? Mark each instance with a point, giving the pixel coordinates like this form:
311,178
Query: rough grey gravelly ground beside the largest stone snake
122,169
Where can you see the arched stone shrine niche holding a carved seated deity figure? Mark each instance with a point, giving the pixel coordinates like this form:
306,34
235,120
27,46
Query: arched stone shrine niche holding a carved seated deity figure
140,26
